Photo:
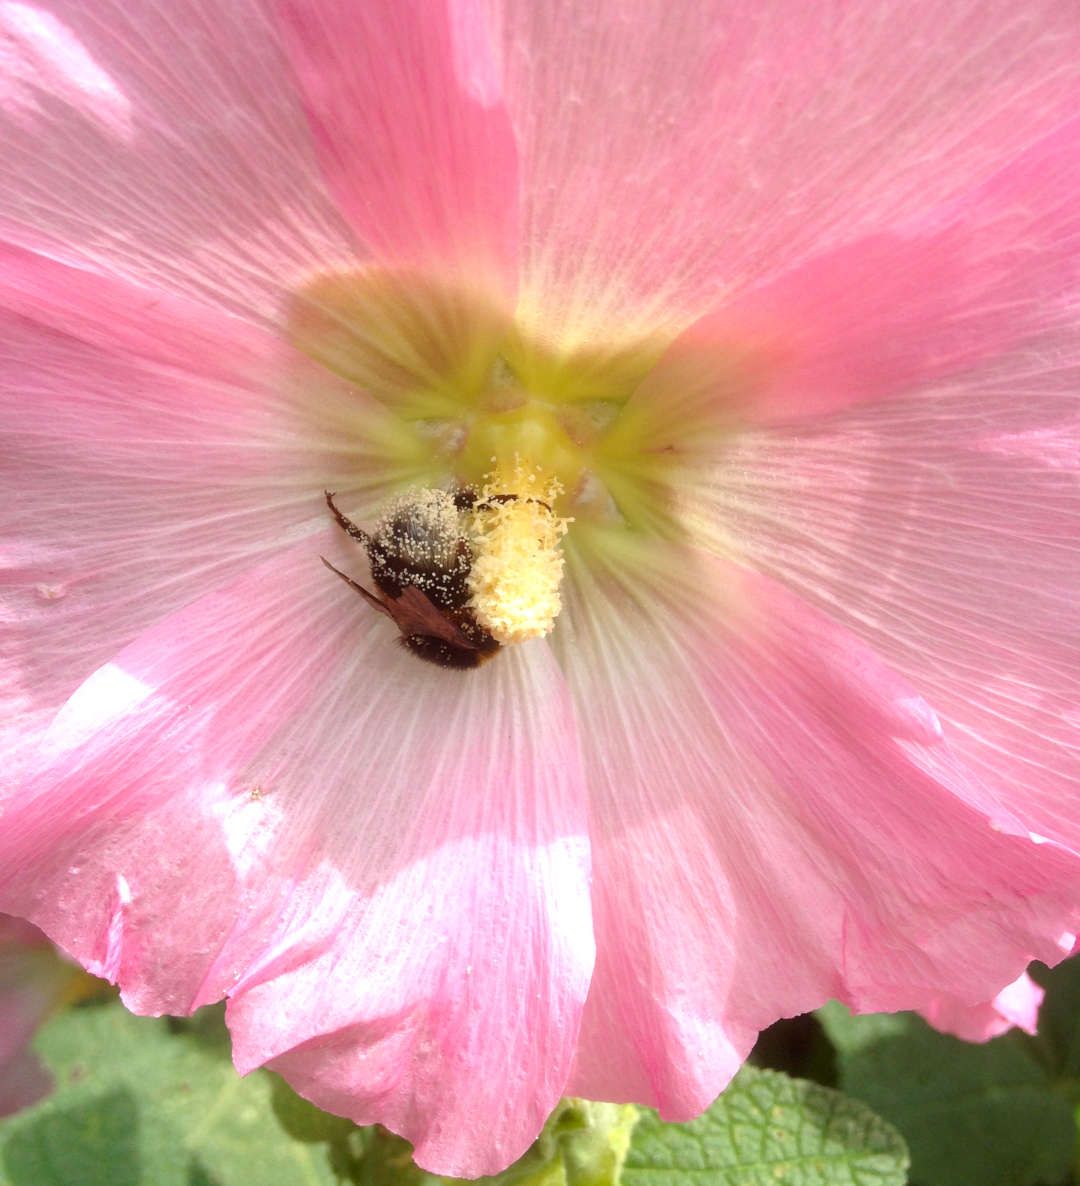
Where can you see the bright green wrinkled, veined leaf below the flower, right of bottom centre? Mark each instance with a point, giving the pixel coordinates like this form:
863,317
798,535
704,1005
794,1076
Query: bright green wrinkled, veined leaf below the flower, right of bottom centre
768,1128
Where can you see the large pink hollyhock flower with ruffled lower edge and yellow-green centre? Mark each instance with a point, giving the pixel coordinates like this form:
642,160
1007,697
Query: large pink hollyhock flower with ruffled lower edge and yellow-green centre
783,297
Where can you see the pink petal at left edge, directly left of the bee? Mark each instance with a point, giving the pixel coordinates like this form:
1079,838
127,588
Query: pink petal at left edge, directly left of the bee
155,450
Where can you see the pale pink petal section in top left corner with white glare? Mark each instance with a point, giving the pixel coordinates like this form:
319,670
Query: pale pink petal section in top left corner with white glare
163,143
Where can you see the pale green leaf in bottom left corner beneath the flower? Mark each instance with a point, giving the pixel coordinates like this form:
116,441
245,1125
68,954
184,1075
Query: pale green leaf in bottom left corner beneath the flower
152,1102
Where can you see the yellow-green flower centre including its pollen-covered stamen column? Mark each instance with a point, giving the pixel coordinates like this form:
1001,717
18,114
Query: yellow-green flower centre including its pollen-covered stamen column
445,392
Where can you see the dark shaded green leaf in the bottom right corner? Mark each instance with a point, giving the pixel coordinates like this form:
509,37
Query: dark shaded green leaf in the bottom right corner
974,1115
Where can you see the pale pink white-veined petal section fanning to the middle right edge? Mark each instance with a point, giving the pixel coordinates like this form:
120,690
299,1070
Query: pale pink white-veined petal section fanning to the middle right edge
942,530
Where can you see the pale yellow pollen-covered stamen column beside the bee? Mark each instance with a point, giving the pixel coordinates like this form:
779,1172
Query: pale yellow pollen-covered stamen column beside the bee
517,562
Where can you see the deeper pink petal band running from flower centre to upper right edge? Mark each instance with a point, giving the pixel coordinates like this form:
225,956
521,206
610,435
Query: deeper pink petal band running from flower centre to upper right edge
890,313
